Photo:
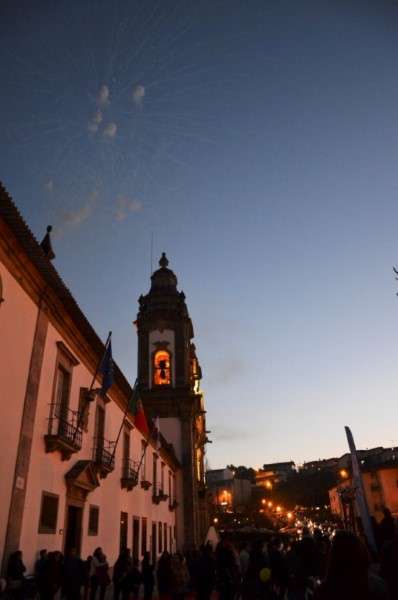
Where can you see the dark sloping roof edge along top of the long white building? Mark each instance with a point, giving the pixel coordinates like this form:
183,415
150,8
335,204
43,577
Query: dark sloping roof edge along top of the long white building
37,255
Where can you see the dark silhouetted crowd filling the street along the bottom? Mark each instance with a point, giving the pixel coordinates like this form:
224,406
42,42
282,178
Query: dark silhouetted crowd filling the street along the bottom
313,567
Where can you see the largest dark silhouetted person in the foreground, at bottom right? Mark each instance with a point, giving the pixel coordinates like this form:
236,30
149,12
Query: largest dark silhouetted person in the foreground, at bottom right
348,576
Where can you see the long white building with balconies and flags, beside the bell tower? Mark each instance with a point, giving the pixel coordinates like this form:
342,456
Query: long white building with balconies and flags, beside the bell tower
64,482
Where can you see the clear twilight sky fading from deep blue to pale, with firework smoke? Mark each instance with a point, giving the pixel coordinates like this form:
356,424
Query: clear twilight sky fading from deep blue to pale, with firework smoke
257,142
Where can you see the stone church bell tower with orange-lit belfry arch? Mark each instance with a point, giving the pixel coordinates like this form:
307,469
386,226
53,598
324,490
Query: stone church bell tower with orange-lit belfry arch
169,377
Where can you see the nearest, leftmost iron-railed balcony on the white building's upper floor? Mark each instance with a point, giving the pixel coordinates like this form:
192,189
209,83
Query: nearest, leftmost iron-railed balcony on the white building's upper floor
64,432
